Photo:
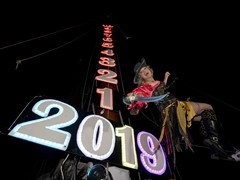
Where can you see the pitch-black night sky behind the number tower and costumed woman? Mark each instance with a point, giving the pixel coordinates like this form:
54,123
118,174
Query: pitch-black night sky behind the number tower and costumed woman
196,43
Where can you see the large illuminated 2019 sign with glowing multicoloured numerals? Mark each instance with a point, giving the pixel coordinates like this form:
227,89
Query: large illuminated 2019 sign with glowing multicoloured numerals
95,137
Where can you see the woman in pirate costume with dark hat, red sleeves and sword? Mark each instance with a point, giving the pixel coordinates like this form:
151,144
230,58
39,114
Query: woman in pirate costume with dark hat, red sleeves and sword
177,116
